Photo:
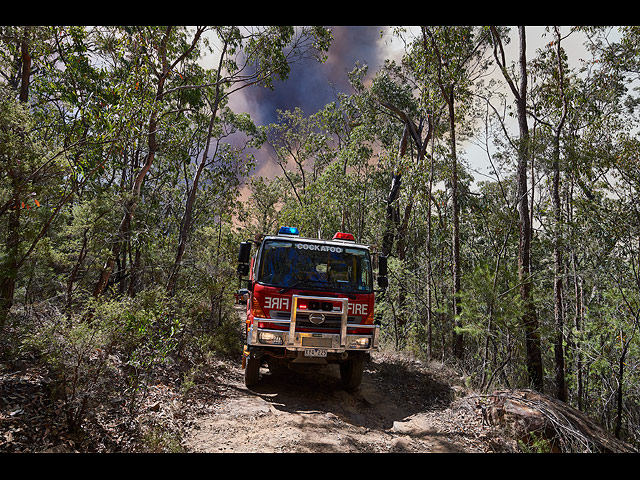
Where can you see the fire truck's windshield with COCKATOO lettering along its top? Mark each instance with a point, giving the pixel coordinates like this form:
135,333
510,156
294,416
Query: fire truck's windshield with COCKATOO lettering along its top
293,264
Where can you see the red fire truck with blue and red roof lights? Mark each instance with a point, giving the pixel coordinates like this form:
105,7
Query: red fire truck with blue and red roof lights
310,301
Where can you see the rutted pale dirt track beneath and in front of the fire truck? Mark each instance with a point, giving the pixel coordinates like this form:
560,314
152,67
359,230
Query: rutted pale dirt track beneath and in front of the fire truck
401,406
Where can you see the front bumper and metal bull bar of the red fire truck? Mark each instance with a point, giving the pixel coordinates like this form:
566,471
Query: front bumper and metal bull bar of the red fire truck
293,336
